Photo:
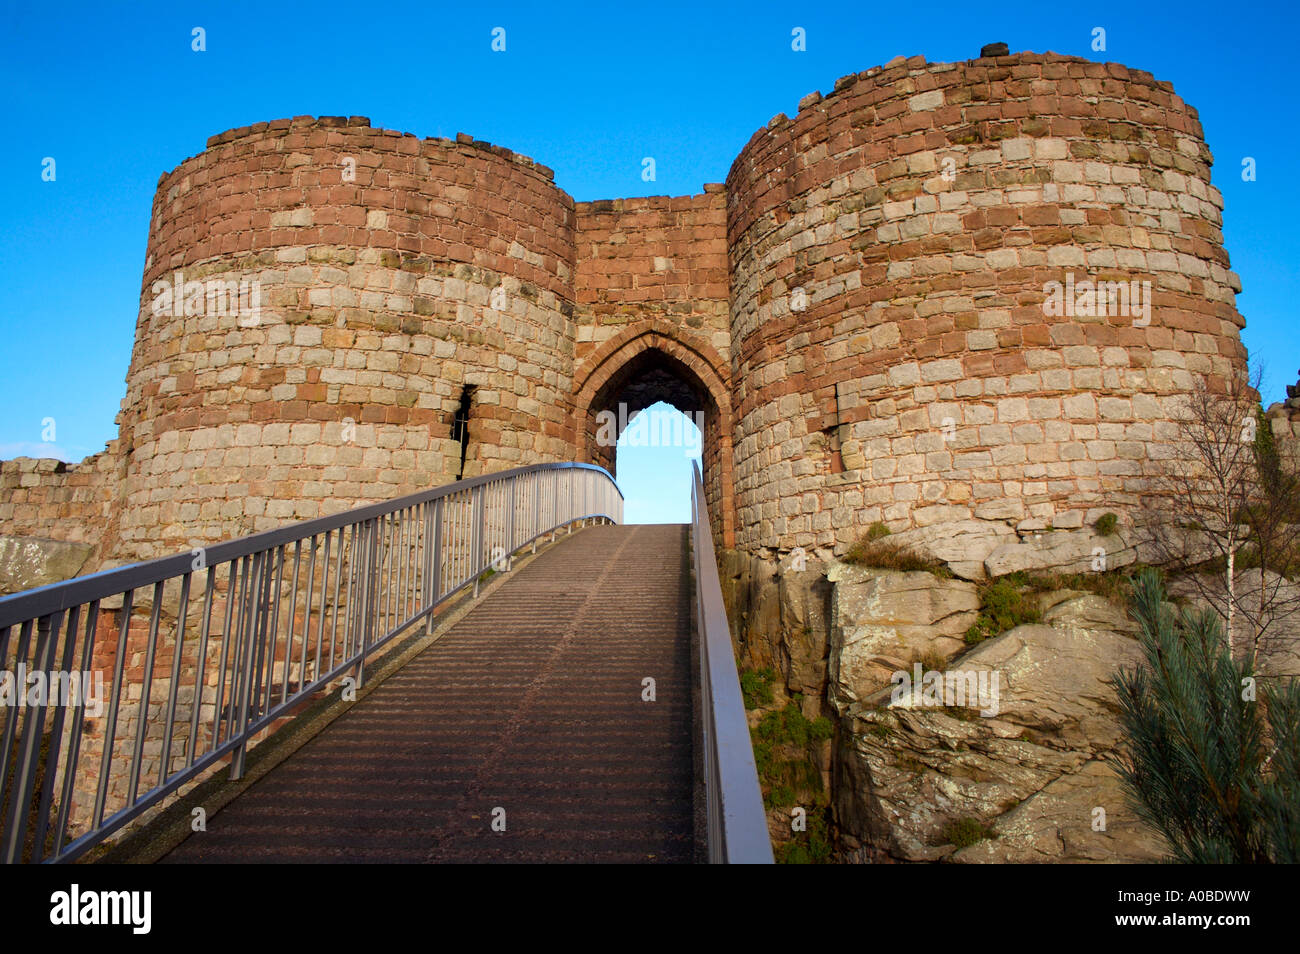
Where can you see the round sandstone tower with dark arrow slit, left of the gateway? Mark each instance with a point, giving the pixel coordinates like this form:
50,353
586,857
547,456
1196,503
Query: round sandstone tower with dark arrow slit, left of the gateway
396,274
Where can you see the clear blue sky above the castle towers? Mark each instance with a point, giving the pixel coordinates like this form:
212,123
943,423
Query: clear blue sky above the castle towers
115,94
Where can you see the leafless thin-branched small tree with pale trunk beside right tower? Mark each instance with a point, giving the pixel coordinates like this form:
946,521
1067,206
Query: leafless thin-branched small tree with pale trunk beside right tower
1227,504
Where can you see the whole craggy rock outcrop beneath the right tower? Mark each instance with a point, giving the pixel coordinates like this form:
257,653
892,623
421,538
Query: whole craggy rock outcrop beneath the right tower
1029,769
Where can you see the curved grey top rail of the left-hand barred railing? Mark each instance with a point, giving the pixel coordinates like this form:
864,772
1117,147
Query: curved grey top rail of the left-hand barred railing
111,583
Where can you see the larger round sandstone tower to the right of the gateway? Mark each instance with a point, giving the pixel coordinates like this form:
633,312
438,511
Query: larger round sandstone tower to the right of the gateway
924,383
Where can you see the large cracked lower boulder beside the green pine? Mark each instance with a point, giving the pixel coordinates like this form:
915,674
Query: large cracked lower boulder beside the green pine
1034,773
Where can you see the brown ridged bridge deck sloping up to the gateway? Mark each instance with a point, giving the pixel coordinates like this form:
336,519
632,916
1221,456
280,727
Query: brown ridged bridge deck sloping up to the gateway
532,704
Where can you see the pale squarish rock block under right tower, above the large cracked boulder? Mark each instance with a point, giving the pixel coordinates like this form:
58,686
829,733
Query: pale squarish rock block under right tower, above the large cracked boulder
882,621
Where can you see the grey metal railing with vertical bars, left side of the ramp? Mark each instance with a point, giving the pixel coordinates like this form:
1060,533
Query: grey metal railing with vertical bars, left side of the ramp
306,604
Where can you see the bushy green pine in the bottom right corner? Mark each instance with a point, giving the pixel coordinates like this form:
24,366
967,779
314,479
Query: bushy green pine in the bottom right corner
1206,765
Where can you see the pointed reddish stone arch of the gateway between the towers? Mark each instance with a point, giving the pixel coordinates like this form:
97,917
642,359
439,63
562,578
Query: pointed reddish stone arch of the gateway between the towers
655,362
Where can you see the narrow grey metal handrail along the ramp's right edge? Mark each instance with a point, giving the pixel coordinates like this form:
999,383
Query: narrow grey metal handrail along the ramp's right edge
738,823
